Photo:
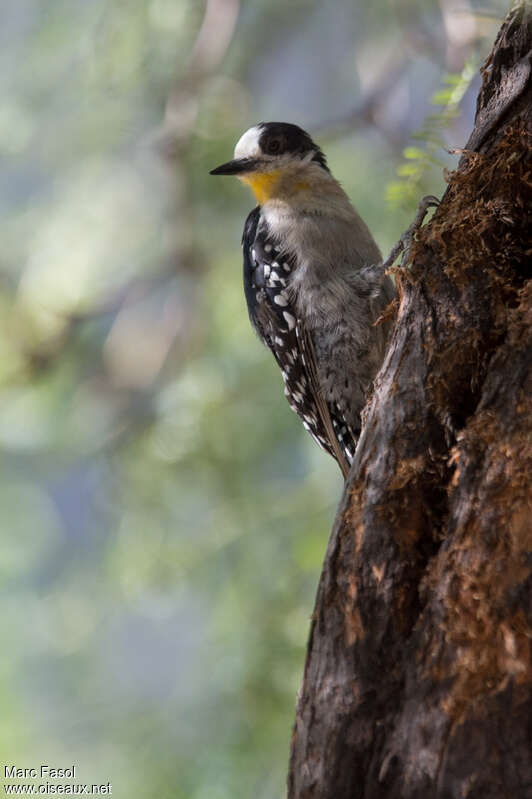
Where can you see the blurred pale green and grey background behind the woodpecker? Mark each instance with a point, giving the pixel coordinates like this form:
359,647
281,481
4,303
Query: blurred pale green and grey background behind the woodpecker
163,514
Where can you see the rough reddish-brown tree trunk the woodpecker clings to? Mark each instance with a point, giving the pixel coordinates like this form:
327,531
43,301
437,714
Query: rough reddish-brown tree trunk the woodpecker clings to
418,679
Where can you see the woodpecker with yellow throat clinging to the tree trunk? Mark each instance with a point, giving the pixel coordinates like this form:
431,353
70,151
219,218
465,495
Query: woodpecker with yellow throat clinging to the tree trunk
313,281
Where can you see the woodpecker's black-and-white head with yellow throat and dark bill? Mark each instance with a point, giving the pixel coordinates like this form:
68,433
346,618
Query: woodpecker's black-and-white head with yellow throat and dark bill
274,154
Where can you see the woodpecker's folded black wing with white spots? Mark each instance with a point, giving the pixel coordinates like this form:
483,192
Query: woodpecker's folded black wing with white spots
266,282
